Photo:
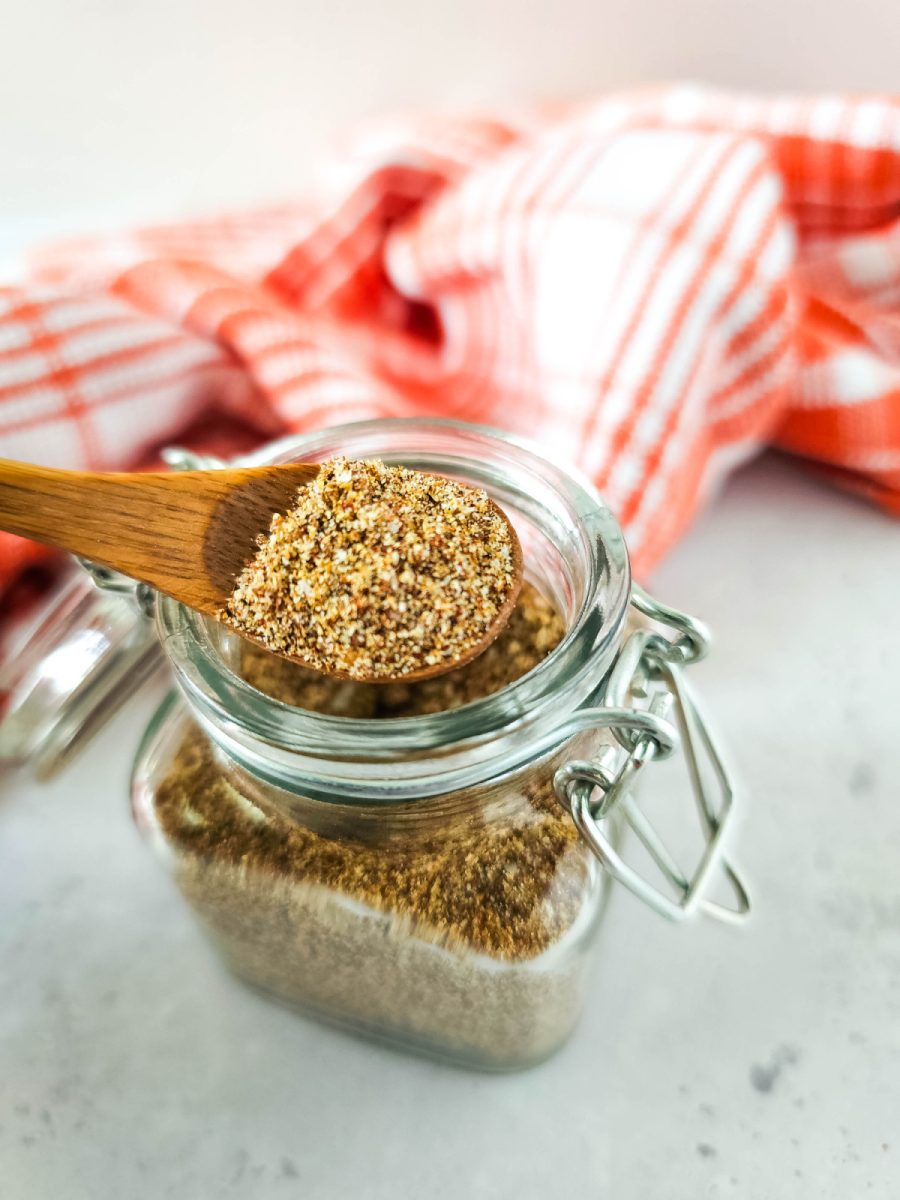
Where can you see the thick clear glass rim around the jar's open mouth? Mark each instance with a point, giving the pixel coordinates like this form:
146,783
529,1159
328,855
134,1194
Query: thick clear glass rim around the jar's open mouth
266,734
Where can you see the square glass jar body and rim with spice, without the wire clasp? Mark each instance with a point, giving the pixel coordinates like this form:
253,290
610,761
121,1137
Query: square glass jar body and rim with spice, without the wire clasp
415,878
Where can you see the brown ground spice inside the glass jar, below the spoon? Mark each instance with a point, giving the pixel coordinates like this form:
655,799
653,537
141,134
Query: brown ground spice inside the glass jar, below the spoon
445,938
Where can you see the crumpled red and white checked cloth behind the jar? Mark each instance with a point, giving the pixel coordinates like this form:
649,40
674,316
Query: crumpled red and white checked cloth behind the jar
653,286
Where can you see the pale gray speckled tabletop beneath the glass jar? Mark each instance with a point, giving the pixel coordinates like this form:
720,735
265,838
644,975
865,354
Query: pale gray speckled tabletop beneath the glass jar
763,1064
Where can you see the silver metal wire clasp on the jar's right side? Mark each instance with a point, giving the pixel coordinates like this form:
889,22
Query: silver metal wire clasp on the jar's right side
650,670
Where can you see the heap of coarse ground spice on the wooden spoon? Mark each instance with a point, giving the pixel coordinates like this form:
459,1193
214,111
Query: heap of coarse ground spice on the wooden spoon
379,573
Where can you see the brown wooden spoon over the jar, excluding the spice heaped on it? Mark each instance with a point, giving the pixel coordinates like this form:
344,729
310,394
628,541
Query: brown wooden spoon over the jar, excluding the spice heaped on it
188,535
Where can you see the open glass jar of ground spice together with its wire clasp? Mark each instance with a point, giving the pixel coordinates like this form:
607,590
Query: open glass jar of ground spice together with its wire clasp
427,863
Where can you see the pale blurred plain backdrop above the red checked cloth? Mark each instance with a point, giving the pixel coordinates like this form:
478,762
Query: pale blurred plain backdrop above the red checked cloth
105,103
